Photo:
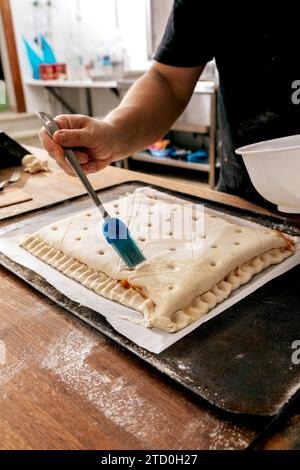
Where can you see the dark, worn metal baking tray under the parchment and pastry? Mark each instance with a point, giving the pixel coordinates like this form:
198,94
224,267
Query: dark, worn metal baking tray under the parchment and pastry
241,360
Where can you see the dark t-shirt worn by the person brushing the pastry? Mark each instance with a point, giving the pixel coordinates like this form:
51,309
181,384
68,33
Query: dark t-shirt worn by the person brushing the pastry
257,59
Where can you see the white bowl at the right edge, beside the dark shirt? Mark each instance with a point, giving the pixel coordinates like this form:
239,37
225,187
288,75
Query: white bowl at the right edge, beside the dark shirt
274,169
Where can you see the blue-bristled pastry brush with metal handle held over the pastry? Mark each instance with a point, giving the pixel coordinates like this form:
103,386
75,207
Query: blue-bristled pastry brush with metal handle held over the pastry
115,231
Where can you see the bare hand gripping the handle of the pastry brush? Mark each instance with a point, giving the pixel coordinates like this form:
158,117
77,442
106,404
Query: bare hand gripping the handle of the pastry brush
93,140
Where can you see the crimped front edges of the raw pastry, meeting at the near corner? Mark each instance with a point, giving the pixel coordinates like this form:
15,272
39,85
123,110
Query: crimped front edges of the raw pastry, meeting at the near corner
112,289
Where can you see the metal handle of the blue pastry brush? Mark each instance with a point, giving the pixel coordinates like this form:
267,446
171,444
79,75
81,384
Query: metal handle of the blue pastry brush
51,127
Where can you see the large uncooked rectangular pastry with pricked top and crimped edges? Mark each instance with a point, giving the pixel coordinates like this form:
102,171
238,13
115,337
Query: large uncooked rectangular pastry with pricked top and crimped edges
181,280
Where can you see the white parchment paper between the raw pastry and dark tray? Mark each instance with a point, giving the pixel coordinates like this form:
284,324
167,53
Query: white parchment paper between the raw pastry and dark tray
153,340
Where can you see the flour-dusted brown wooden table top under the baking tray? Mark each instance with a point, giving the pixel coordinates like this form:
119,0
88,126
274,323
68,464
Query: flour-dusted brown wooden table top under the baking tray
65,386
